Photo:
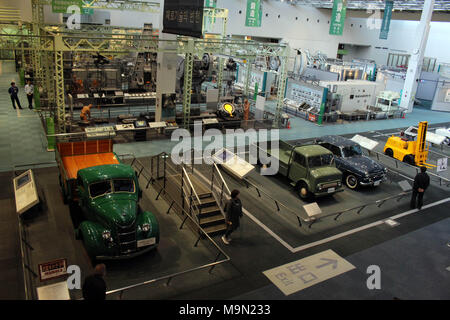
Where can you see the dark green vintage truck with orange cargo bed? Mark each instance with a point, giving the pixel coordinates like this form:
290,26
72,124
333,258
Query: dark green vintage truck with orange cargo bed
103,194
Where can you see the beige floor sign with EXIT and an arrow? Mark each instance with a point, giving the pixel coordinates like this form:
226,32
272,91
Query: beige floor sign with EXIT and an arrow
306,272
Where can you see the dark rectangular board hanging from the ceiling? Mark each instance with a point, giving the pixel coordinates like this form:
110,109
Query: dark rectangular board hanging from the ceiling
183,17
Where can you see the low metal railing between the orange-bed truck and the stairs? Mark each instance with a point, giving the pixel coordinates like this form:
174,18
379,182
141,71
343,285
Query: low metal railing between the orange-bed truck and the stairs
156,182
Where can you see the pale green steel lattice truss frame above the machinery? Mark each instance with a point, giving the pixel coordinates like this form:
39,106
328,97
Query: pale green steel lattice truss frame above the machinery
47,44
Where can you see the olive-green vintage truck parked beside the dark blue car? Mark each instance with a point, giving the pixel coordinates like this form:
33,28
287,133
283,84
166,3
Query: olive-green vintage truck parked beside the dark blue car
310,168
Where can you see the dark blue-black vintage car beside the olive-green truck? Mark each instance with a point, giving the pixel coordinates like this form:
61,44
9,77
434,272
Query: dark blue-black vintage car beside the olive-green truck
357,169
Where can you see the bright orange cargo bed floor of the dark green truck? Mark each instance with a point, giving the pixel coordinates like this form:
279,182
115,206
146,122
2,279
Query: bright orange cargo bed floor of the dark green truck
74,163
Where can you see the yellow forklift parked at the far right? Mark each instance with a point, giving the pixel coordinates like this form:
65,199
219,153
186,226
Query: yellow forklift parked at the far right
408,150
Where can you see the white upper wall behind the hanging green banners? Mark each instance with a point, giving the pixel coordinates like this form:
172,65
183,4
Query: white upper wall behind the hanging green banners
315,36
